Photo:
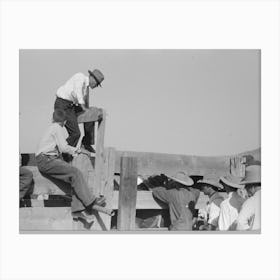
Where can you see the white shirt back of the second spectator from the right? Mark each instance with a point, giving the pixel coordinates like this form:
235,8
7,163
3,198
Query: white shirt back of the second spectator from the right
228,215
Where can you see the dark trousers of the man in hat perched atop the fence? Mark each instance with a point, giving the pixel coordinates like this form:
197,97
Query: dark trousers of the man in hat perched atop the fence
72,126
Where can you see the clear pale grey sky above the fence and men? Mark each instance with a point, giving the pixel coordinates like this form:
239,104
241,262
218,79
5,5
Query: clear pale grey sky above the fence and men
192,102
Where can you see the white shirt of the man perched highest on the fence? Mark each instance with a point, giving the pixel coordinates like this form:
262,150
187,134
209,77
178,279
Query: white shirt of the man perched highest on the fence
75,89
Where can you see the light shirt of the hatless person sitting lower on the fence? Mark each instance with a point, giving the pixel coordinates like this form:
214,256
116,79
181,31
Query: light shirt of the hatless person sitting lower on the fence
54,142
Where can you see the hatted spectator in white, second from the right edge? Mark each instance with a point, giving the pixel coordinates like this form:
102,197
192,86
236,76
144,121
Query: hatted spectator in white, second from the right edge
231,206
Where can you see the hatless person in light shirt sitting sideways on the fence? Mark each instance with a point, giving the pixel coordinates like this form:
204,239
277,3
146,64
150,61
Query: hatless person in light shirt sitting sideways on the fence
50,164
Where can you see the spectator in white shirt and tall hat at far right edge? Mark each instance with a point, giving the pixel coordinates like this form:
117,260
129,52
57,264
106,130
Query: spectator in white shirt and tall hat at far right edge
249,217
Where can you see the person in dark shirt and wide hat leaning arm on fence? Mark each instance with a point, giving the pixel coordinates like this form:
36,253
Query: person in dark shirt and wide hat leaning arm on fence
181,198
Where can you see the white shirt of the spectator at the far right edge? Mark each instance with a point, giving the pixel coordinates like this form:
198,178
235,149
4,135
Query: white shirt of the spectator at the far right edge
250,215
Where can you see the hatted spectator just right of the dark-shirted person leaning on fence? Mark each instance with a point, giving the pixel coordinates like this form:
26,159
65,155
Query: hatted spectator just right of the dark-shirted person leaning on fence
211,187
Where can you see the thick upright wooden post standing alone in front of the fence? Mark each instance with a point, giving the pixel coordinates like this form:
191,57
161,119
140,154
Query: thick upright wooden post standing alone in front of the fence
127,194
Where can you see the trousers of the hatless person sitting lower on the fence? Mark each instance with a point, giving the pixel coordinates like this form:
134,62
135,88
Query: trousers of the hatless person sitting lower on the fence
59,169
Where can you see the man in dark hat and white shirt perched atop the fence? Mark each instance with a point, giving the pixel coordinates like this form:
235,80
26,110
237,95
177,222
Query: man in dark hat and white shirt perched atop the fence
72,97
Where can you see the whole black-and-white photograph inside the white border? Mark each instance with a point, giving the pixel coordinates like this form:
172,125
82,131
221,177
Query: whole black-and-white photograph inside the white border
140,140
